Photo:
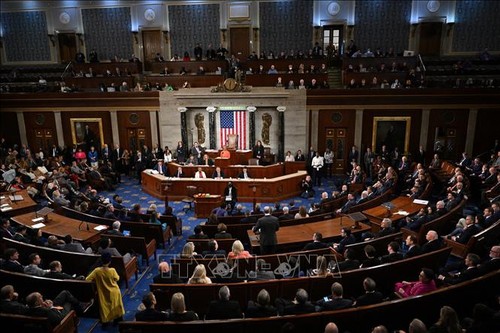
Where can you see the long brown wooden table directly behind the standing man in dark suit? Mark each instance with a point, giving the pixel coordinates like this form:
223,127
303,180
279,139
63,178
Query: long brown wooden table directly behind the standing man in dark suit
296,236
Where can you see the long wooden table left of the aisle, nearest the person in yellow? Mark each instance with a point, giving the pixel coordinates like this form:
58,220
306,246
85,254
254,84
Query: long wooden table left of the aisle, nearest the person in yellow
61,226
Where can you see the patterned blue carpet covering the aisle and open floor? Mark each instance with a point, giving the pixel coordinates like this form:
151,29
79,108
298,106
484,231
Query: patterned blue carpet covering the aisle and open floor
131,193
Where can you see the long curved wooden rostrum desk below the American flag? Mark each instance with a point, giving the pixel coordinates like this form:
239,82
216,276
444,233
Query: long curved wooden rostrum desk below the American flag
267,190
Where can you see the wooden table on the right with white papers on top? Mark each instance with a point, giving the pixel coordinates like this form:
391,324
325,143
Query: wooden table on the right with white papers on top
377,214
